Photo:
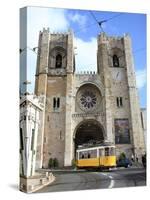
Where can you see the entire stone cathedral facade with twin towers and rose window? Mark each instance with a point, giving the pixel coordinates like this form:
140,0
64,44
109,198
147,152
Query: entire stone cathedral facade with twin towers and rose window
87,107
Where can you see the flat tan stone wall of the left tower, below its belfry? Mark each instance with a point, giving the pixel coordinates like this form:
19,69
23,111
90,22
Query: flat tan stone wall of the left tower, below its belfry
54,135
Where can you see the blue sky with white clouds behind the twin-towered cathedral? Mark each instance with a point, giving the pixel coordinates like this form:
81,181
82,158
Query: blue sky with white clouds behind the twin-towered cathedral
86,29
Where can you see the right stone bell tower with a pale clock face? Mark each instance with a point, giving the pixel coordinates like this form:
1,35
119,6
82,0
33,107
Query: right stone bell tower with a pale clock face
116,69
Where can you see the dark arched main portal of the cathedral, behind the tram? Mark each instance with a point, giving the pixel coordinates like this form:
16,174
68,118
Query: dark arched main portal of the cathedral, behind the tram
88,132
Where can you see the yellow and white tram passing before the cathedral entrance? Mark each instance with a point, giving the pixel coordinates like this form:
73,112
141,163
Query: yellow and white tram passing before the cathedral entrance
102,156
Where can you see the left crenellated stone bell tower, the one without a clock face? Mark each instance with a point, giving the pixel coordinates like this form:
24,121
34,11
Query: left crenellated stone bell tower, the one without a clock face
54,76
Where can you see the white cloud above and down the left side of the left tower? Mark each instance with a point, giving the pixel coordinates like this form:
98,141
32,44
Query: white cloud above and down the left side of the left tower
37,19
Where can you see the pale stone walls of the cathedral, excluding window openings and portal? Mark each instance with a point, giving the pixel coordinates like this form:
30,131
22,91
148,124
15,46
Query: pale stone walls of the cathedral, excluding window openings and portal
110,82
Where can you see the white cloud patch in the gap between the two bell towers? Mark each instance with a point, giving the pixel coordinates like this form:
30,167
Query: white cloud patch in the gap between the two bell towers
86,54
